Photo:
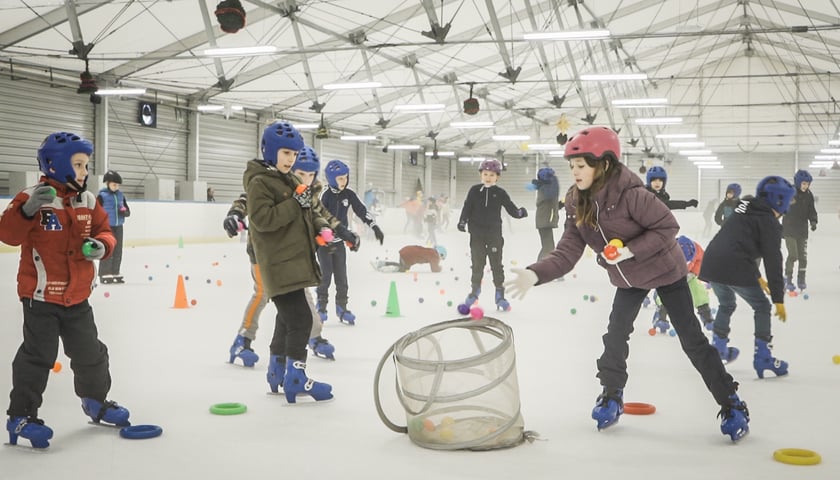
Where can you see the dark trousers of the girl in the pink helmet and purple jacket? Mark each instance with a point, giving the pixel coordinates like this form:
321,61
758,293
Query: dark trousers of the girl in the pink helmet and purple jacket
612,366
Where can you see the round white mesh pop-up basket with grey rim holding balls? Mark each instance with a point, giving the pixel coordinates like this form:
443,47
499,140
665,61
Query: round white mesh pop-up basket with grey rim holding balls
457,382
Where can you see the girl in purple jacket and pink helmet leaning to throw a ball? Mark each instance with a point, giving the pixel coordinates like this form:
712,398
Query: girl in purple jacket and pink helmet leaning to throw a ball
610,202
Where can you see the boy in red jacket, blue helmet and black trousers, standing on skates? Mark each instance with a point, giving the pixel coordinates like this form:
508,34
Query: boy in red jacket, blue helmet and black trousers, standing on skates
61,230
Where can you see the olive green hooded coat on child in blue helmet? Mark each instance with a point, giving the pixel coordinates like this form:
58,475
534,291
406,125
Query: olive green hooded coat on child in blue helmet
282,233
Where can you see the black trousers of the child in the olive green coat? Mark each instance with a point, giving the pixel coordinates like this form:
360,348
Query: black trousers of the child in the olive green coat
292,325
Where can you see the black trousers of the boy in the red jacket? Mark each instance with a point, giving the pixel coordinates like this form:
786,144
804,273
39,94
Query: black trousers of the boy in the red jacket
43,324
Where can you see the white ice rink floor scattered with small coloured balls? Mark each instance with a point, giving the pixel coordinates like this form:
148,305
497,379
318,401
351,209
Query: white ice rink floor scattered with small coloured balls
170,365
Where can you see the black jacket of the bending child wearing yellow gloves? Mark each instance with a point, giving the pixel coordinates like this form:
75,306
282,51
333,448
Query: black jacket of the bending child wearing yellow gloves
751,234
